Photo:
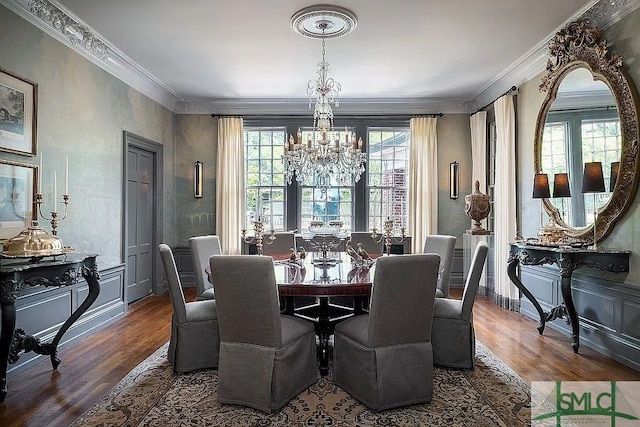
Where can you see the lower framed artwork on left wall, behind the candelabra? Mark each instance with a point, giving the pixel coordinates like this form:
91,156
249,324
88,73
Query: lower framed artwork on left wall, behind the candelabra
17,206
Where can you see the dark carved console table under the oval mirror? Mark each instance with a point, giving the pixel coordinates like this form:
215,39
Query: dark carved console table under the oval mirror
568,260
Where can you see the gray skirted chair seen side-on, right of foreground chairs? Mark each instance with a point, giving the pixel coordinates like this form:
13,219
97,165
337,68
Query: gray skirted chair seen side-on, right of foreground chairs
453,336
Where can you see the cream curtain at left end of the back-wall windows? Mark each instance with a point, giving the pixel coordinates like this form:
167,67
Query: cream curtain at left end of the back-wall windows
230,188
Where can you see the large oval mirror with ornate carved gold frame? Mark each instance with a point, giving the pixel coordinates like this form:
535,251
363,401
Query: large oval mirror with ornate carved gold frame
590,114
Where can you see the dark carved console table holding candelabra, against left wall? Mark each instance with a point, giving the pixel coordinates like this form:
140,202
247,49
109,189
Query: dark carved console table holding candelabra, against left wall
16,274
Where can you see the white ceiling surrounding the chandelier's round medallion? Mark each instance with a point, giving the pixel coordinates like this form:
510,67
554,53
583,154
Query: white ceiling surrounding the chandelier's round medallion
435,54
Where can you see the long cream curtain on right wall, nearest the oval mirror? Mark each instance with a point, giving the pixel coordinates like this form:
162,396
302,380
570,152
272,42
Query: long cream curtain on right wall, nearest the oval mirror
506,294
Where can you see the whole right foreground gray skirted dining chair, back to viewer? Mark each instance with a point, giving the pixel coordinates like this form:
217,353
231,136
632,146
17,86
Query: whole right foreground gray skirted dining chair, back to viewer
384,359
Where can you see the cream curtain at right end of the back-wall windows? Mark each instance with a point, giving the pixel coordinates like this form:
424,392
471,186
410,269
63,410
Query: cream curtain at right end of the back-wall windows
423,181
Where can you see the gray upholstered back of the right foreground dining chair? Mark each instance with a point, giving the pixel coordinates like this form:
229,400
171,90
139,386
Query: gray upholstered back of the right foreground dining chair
402,299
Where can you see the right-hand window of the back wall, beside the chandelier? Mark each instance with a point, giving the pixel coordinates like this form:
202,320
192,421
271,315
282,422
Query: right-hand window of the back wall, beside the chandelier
388,176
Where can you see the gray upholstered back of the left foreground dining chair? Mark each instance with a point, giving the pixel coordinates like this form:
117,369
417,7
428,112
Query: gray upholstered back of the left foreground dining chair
247,299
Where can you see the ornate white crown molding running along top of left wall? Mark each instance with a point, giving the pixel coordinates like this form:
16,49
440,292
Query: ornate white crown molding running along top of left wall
61,24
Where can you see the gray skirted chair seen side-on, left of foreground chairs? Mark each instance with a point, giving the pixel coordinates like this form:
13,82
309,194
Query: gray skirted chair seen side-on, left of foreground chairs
195,339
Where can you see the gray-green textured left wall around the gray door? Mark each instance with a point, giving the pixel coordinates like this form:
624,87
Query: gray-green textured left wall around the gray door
82,113
